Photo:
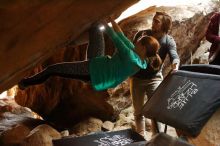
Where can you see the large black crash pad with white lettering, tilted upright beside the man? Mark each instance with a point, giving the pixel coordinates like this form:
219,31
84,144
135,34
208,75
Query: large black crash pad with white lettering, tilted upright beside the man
187,98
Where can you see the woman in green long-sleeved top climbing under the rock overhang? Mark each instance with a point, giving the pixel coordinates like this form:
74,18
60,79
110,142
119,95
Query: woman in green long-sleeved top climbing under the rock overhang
102,71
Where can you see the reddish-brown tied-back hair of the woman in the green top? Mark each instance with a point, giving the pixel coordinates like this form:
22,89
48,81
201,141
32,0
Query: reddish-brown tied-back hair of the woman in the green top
152,50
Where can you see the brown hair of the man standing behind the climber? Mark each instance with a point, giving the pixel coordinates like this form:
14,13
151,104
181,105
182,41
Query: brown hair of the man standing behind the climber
166,21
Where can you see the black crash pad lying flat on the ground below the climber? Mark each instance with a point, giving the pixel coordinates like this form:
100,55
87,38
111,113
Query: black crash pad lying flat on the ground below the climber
115,138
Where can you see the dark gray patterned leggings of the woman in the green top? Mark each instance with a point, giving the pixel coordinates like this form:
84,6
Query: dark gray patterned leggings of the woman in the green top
74,70
